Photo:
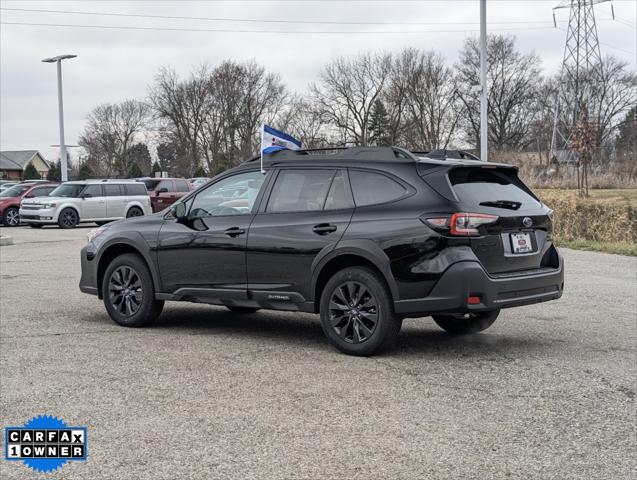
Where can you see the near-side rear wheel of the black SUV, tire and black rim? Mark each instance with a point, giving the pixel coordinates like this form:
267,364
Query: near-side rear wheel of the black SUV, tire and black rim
357,314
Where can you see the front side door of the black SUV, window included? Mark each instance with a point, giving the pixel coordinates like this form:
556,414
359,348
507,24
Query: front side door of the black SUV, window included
205,253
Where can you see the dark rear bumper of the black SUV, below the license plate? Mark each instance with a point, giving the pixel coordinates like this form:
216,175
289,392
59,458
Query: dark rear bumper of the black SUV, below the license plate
468,279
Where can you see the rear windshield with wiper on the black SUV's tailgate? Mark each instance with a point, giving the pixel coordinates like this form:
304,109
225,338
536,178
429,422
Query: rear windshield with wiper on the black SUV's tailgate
480,186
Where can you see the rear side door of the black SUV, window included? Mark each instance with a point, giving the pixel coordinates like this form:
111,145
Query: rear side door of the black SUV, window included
307,212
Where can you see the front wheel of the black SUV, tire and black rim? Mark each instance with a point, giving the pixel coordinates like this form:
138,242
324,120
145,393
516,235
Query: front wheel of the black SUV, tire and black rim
136,306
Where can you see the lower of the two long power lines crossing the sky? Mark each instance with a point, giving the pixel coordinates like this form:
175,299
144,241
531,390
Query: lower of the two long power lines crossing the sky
228,30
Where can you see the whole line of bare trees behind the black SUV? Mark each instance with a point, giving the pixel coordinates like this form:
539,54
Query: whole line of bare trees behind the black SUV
210,120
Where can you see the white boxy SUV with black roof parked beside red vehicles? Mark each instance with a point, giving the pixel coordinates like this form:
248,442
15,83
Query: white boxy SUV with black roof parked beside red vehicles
98,201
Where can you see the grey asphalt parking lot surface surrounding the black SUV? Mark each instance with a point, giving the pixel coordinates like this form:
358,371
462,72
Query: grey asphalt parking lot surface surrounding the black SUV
547,392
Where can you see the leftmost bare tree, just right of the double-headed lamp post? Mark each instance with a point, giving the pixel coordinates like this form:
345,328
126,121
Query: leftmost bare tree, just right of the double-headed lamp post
110,132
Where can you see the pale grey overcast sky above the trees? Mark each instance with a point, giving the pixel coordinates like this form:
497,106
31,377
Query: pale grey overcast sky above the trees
114,65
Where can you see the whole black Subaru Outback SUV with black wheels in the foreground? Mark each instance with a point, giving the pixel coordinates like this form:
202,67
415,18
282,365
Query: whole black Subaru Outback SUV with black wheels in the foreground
365,237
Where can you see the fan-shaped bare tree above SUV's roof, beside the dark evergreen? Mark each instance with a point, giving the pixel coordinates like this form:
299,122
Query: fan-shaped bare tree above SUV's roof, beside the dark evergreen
347,90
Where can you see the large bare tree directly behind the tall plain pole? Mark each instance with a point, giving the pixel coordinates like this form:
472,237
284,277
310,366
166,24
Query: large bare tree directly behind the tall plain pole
514,85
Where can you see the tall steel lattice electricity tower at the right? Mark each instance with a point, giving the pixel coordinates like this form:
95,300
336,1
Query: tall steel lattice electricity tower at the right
580,76
